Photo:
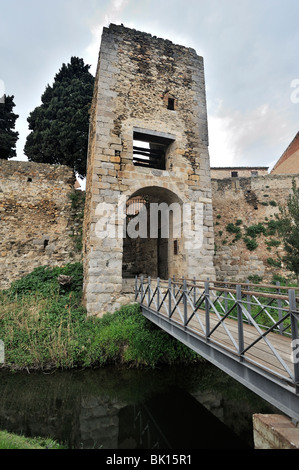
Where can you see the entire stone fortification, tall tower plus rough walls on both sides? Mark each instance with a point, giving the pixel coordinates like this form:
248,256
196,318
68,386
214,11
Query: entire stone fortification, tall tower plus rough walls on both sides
144,85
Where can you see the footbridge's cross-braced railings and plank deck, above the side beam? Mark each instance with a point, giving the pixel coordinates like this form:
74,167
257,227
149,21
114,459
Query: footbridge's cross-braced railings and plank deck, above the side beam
207,309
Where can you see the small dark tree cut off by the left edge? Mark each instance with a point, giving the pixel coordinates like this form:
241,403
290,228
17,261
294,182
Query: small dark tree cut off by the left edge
8,137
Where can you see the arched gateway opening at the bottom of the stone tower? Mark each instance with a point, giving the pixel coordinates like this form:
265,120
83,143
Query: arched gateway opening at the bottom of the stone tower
153,245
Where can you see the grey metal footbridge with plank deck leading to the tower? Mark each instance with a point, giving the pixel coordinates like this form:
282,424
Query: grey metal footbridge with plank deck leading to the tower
249,331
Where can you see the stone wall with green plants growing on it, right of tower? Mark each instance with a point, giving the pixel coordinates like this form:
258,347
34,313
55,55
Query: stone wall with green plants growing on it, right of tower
240,204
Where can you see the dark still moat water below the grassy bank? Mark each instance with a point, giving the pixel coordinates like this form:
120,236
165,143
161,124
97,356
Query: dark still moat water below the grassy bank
196,407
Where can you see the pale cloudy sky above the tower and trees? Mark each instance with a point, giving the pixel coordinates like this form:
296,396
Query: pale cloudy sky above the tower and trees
250,50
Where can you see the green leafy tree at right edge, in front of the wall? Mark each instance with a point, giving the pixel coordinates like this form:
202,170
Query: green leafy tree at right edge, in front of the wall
288,228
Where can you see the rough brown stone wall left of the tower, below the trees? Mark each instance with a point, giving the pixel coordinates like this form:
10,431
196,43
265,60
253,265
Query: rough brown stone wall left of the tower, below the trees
38,219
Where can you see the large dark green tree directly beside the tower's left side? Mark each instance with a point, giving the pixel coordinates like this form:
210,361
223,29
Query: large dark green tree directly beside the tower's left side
59,126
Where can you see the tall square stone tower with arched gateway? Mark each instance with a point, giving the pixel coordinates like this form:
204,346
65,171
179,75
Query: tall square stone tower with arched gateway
148,191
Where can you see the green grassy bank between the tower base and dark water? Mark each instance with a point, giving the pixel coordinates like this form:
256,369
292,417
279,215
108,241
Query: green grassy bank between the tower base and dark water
43,325
